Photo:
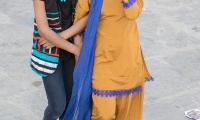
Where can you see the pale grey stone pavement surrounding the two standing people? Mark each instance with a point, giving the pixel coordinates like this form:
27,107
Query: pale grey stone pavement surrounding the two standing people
170,38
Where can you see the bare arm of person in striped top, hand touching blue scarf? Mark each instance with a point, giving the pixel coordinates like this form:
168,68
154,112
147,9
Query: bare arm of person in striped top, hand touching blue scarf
47,33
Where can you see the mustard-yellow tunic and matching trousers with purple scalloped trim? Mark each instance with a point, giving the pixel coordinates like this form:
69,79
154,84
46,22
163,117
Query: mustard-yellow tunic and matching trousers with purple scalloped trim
119,70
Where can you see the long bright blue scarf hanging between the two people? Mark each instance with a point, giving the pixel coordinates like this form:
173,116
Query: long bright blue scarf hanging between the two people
80,105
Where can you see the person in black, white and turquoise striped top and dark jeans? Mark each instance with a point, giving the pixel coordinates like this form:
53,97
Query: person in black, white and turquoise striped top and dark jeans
53,51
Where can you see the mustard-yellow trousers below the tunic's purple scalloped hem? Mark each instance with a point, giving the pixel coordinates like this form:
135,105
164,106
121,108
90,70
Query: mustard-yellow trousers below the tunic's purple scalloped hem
129,107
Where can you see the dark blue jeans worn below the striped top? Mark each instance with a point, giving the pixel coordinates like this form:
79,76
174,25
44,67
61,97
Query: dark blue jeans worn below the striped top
58,87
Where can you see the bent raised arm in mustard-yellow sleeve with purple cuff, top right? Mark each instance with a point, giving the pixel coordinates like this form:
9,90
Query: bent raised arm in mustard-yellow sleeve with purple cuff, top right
132,8
